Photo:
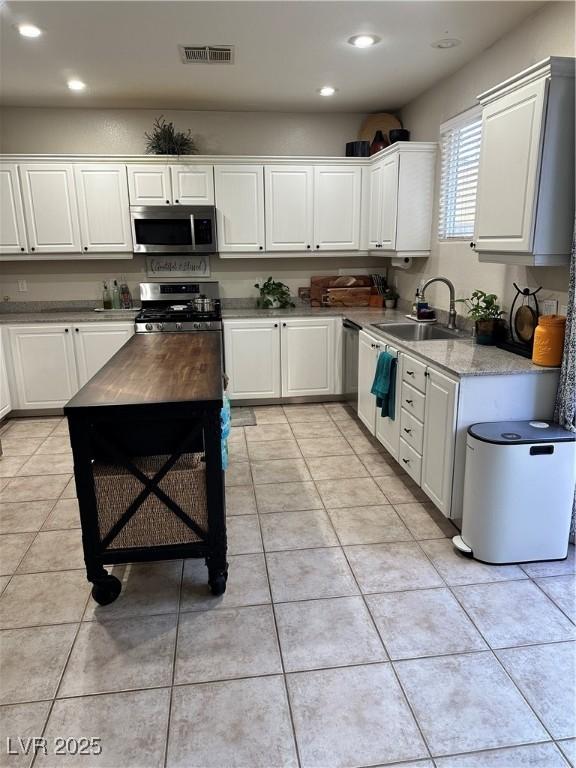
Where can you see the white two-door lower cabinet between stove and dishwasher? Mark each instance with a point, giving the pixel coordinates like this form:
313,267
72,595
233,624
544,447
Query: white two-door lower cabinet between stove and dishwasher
269,359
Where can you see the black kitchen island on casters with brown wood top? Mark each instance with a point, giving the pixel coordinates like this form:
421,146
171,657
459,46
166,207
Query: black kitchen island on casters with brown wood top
146,440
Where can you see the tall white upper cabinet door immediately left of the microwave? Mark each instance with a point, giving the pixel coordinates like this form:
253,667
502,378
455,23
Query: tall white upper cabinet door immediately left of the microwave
104,209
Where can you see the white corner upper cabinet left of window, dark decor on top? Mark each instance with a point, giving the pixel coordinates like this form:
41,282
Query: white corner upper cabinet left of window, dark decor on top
400,192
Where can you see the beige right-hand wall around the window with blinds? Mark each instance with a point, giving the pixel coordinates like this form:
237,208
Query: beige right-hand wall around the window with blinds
548,32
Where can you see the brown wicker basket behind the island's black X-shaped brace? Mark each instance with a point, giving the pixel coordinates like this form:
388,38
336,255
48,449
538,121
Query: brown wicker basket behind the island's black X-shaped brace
153,523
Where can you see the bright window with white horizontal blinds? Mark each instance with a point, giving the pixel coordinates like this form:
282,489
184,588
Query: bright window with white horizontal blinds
460,148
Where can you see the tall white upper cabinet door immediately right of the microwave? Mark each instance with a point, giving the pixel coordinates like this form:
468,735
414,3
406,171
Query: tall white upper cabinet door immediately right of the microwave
239,195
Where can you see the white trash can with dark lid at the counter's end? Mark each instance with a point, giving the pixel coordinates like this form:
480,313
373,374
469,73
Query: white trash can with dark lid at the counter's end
518,491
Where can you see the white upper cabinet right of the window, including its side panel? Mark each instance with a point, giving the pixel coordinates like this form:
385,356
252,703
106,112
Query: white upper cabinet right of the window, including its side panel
525,204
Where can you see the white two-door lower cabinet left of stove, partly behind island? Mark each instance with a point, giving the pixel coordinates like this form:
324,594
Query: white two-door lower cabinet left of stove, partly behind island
49,363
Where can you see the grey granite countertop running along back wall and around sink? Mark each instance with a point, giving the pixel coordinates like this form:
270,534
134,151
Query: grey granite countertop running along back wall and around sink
459,356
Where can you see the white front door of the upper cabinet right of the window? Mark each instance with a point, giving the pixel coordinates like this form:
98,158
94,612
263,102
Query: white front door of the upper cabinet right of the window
512,128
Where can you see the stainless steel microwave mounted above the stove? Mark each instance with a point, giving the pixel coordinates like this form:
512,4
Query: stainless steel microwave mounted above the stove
174,229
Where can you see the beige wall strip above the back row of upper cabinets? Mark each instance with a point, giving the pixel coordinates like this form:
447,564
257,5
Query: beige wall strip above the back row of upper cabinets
121,131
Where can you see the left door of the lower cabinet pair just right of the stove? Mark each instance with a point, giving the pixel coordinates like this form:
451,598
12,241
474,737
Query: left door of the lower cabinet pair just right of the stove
252,358
